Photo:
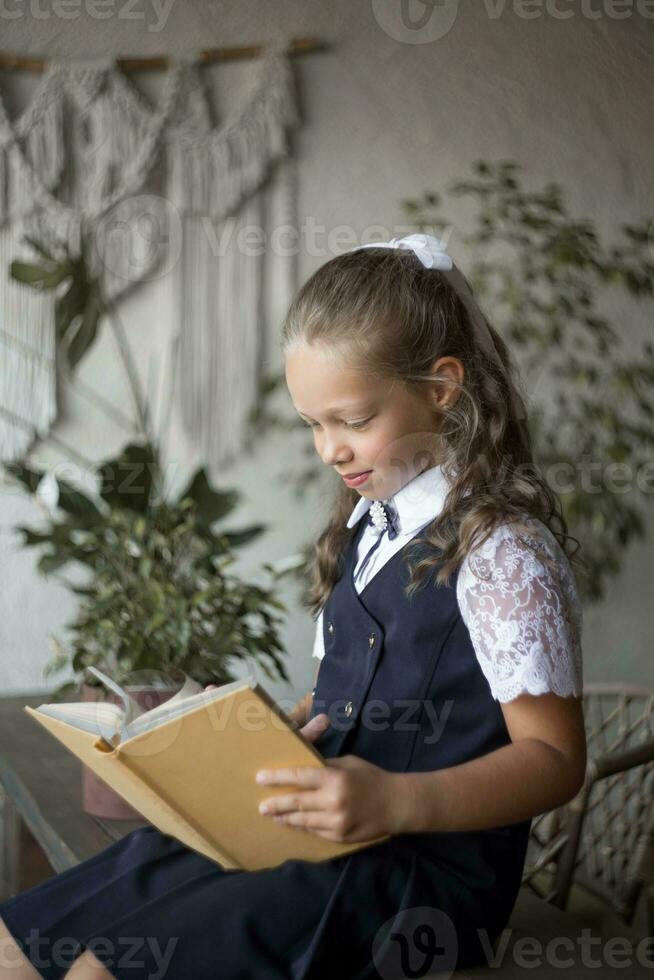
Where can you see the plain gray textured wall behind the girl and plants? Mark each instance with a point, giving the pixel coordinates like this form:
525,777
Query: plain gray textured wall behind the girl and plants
564,89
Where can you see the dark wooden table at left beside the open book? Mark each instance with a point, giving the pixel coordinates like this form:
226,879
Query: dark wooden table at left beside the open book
42,785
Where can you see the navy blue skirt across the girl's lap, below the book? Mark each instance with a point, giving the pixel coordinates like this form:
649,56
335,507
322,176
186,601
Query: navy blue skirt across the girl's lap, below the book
149,907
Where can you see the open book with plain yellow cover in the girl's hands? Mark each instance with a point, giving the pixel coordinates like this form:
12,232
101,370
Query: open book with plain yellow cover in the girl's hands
189,765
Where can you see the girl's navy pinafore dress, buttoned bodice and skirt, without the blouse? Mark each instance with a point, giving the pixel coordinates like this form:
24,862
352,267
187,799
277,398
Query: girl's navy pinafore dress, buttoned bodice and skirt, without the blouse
403,688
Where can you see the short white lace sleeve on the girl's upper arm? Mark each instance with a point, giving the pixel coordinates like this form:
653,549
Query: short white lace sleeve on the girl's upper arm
525,621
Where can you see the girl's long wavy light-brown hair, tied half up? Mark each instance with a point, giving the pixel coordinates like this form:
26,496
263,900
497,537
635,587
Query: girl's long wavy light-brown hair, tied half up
393,318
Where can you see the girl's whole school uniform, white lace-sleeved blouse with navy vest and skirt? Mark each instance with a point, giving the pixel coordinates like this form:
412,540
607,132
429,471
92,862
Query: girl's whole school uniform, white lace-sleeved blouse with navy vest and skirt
410,685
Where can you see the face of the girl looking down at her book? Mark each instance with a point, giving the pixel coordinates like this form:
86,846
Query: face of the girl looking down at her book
363,424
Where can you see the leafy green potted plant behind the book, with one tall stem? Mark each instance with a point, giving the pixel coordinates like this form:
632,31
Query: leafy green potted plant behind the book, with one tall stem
159,603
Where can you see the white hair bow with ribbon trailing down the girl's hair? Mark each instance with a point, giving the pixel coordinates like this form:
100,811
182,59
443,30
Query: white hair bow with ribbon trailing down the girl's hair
432,254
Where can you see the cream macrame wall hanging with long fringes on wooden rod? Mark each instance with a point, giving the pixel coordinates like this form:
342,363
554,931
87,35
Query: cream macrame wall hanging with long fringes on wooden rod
77,169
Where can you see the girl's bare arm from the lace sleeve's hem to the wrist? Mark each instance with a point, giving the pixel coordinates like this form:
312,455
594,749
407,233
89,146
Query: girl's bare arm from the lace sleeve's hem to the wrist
543,768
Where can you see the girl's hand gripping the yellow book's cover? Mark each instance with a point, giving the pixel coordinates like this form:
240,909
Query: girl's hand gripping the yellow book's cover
348,800
